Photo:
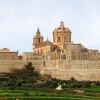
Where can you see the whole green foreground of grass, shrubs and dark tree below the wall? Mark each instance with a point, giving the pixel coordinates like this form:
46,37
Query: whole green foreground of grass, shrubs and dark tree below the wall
28,84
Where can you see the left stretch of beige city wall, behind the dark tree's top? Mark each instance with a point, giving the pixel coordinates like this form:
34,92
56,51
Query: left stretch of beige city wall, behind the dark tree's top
7,65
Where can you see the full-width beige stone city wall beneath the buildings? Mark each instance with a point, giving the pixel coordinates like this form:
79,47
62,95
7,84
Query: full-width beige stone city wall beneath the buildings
60,69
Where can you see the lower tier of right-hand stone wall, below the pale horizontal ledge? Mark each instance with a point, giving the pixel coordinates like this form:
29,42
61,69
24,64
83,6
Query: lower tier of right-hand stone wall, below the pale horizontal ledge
89,75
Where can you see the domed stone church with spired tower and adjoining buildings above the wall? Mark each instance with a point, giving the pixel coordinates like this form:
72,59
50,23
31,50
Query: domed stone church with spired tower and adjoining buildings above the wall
62,46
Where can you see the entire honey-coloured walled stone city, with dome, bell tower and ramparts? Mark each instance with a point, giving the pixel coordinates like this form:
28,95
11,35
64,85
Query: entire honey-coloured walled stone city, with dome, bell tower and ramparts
62,59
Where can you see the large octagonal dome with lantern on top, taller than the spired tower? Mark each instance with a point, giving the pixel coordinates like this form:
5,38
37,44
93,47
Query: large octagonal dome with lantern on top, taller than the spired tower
61,35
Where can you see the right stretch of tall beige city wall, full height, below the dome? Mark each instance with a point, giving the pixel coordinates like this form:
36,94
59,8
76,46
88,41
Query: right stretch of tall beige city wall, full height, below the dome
79,69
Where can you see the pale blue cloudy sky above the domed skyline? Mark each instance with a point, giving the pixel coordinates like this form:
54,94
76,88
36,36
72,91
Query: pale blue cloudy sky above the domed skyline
19,20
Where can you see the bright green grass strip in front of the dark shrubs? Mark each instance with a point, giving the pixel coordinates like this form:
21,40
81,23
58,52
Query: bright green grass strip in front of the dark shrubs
92,93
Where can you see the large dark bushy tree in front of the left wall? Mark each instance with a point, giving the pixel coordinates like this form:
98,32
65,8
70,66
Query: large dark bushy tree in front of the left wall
24,77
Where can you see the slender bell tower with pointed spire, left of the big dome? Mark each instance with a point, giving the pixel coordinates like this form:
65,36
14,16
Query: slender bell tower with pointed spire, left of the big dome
37,40
